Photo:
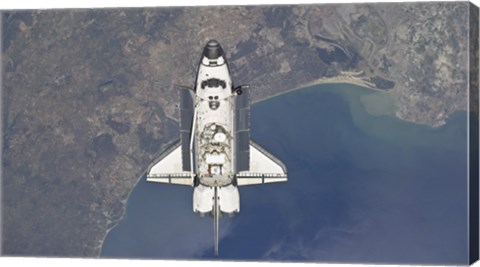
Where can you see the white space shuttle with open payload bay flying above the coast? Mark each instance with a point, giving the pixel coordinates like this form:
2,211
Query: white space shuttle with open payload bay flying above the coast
214,153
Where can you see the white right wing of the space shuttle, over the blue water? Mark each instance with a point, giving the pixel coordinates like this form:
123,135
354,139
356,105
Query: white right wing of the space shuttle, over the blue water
264,168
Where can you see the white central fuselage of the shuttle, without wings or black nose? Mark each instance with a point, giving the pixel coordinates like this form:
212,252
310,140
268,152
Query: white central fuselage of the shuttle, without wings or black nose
214,131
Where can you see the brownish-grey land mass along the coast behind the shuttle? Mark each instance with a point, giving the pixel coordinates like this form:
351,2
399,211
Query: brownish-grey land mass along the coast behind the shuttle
90,100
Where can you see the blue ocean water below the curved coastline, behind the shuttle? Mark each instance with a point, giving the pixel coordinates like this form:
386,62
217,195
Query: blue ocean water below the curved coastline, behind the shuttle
362,188
